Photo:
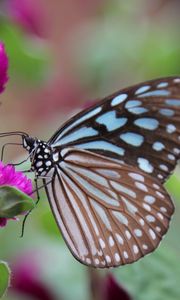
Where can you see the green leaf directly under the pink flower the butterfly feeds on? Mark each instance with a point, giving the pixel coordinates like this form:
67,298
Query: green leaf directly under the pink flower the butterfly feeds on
13,202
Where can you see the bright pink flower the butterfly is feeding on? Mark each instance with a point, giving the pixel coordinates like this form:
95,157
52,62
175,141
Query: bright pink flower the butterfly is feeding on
9,176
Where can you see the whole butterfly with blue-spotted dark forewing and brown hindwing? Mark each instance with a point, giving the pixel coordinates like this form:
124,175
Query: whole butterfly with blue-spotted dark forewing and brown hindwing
104,171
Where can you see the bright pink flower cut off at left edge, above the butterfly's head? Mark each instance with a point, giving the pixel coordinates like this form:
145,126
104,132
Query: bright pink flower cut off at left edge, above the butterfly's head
3,67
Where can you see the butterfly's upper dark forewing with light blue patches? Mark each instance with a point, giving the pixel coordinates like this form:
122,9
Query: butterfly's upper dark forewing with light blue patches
139,125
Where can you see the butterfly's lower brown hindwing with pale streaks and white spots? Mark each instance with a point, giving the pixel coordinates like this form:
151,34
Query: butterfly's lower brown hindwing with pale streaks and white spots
110,214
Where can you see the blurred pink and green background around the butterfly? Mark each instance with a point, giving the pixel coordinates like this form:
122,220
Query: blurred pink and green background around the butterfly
63,55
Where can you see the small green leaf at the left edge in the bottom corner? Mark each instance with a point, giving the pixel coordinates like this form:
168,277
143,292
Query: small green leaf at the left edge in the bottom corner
4,277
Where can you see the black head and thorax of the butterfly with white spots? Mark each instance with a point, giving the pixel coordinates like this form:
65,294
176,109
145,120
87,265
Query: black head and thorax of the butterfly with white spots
42,156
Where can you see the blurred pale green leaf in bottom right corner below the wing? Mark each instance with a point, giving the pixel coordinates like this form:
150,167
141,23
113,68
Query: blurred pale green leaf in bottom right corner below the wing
156,276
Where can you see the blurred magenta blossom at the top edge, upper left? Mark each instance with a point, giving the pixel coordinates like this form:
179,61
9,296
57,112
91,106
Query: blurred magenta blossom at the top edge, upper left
28,14
